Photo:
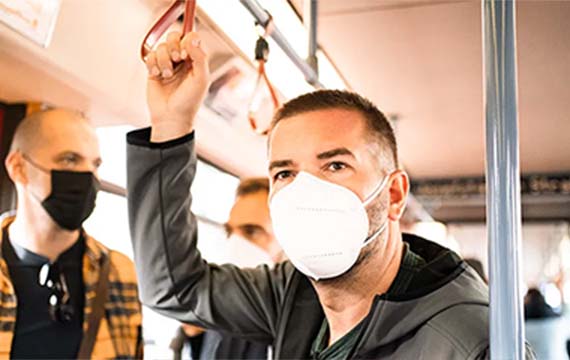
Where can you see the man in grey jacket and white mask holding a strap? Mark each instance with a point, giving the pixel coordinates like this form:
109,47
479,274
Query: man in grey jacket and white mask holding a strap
355,286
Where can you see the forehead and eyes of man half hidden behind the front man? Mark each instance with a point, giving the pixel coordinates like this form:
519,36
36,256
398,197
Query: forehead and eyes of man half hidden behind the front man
250,219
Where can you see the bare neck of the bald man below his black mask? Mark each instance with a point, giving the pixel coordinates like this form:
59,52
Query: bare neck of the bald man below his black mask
39,234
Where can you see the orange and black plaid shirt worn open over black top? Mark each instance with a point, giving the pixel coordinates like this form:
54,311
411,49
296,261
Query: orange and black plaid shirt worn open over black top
120,332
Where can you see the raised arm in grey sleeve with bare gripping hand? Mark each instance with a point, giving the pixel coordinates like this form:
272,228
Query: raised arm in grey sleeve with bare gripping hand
161,164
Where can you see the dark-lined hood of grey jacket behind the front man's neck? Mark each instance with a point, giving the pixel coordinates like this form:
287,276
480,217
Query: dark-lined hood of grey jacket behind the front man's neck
447,281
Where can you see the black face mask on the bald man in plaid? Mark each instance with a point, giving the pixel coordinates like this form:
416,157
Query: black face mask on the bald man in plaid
72,197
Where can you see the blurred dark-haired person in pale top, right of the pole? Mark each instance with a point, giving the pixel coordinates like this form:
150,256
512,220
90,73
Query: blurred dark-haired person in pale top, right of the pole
545,330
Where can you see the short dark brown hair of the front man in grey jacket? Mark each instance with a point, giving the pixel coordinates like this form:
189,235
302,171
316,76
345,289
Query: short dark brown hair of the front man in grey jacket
377,124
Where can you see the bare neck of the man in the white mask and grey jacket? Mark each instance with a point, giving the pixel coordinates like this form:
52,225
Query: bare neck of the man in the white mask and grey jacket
347,301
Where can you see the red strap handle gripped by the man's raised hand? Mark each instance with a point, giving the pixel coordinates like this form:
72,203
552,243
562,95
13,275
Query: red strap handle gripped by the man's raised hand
169,17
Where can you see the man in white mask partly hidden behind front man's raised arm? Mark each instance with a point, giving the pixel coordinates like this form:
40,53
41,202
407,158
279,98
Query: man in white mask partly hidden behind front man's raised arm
251,242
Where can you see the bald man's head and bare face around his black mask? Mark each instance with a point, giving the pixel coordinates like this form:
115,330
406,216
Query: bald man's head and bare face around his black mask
64,142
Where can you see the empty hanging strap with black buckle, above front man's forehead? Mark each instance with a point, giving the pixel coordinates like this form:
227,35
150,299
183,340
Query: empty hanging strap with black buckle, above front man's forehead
264,100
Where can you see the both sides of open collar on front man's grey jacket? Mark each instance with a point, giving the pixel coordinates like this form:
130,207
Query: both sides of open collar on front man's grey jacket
390,318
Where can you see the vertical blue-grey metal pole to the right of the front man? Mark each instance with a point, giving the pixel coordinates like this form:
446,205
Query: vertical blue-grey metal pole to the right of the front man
503,180
